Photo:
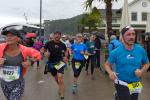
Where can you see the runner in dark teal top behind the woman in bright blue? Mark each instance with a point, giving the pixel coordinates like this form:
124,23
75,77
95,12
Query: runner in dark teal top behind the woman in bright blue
92,58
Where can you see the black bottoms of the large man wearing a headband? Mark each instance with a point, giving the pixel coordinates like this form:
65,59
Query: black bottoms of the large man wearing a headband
124,94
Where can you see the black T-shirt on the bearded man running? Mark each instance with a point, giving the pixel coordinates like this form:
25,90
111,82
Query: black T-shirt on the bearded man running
57,51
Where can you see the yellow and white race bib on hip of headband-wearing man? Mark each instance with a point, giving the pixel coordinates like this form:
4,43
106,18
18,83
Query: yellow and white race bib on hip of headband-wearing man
135,87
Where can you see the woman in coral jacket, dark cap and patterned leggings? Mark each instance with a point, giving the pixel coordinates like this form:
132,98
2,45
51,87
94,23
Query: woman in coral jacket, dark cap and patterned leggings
13,64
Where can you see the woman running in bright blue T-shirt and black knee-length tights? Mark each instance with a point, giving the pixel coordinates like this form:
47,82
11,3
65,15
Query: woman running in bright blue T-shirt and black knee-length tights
79,49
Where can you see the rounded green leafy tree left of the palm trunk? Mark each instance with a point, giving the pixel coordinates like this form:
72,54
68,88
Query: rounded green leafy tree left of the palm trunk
92,20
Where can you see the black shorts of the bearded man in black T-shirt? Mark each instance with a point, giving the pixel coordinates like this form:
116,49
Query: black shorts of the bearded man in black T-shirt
53,70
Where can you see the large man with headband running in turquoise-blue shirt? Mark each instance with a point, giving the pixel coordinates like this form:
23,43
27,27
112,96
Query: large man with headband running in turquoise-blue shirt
131,62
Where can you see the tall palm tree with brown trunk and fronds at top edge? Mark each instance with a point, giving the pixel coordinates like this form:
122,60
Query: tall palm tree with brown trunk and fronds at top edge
88,4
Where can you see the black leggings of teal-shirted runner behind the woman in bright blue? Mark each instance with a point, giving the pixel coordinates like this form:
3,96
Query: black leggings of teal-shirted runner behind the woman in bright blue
91,59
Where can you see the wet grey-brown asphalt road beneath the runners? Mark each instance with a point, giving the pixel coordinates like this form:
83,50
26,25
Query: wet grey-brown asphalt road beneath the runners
43,87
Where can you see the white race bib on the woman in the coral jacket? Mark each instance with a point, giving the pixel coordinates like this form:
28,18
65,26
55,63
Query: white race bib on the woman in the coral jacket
10,73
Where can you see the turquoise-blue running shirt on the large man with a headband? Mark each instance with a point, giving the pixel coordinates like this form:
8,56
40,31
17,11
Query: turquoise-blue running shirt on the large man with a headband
127,61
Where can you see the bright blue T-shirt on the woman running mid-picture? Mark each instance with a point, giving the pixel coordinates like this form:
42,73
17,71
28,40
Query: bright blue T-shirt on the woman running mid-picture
77,48
